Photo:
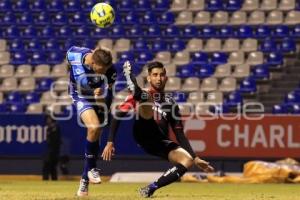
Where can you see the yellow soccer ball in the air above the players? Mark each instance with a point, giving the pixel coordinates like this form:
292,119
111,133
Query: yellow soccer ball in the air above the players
102,15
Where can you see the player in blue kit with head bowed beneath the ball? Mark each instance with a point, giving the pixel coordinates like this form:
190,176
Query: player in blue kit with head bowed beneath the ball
91,75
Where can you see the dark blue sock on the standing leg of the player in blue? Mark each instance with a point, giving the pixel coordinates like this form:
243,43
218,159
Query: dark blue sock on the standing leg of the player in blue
90,157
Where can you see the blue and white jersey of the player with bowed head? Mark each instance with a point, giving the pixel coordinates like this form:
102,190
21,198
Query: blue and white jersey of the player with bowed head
83,76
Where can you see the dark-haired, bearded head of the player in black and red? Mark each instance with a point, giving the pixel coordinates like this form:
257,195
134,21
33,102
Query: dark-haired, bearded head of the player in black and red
157,76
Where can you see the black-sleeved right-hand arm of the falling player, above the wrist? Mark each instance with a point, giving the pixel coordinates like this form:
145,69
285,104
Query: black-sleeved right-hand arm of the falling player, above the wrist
177,128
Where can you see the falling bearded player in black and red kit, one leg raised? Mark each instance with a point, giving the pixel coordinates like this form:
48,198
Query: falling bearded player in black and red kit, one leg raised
156,112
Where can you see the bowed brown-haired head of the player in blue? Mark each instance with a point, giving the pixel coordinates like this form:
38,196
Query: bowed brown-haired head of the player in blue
101,60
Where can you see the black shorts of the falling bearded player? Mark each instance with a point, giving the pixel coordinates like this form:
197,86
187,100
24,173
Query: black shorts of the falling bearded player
150,138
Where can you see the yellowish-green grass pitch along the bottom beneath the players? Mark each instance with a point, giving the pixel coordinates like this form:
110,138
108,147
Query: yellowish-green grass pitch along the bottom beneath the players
33,190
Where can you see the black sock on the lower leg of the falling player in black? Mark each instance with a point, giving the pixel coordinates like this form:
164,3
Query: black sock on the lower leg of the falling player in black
170,176
